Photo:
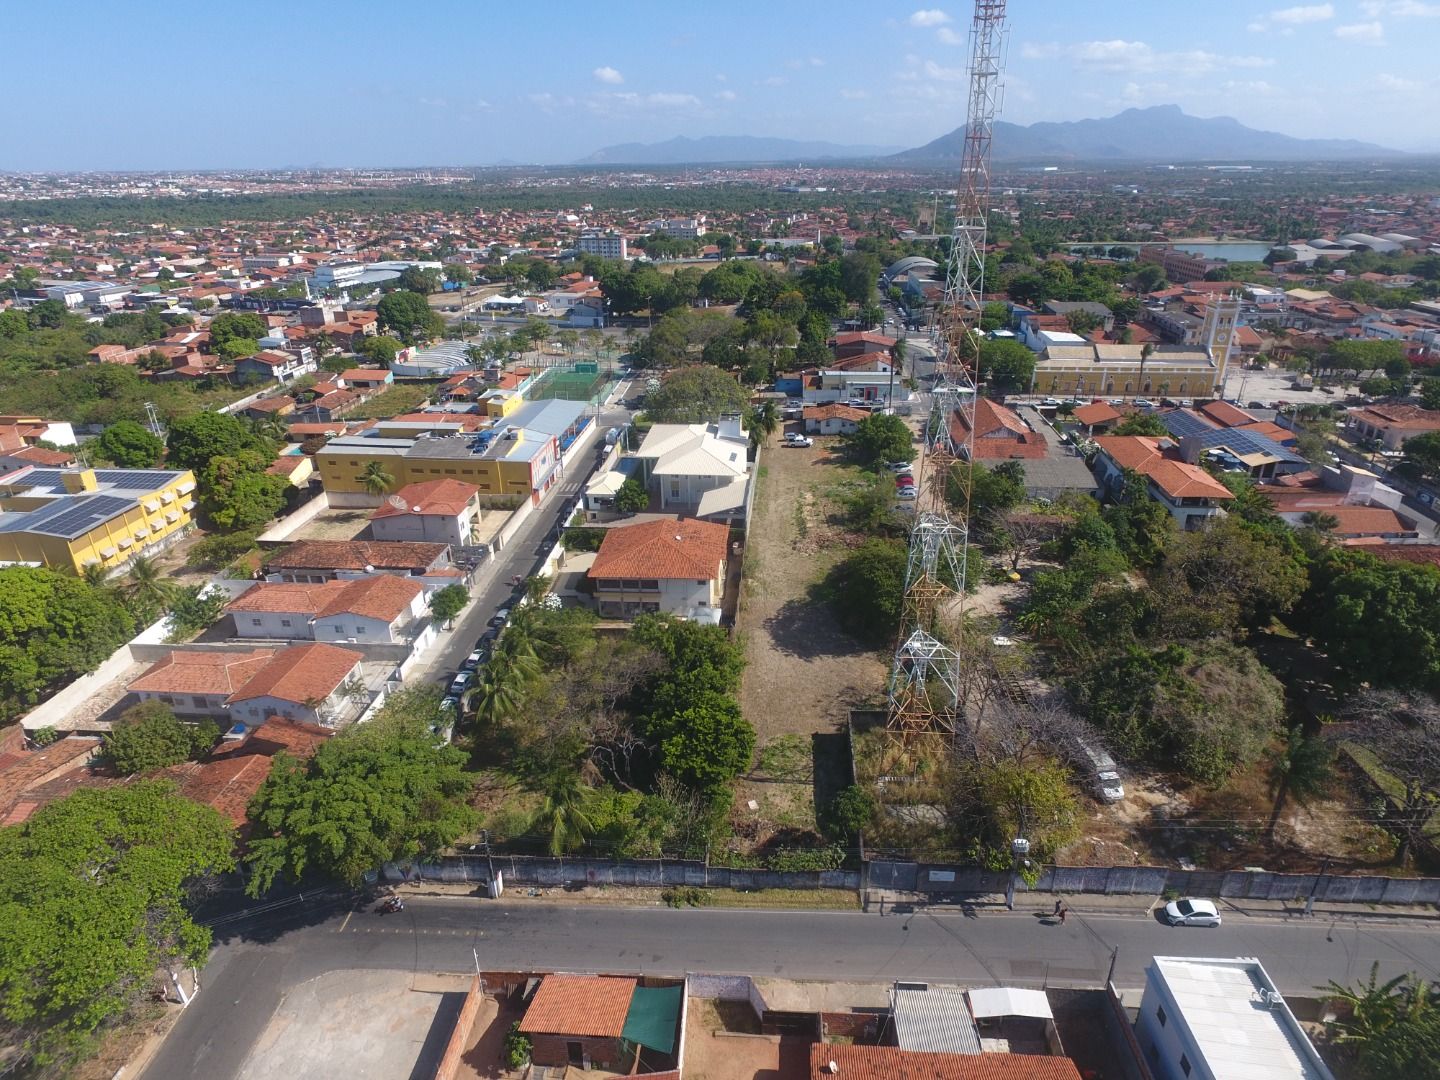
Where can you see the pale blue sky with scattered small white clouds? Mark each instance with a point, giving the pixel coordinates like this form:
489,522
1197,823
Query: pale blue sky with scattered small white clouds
309,83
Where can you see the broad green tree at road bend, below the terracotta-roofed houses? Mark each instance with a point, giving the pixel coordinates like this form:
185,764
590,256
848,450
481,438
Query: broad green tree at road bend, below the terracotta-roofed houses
381,793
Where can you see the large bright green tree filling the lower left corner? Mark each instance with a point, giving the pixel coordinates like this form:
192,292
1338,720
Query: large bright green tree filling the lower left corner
94,901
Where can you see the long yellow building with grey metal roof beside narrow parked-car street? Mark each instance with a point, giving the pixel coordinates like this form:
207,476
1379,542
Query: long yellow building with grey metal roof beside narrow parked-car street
518,459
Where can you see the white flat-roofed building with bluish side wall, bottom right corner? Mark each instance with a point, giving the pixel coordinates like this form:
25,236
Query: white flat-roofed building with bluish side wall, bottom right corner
1222,1019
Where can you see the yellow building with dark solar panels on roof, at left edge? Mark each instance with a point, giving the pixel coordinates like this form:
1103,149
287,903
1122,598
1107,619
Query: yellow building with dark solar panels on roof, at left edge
68,519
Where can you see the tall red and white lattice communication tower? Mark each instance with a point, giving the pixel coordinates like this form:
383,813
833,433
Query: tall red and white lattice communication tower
925,679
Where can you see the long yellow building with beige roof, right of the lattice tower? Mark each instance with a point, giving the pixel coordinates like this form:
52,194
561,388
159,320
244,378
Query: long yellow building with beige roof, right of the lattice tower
1115,371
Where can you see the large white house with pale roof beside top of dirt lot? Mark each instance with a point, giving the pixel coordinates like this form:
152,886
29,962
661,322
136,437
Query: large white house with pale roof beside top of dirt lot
701,470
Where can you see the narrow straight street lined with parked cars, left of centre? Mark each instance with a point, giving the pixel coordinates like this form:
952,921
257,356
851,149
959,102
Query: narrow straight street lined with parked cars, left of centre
525,552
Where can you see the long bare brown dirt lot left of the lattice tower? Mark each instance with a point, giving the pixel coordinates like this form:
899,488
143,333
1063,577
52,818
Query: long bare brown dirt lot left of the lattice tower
803,672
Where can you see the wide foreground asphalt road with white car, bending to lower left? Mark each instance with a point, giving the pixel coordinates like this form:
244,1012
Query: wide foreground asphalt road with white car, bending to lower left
261,961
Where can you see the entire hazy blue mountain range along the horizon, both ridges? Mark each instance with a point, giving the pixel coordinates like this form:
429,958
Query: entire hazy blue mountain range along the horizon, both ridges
1161,133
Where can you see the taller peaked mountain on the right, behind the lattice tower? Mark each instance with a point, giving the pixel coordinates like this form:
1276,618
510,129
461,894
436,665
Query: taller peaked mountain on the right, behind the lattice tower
1161,133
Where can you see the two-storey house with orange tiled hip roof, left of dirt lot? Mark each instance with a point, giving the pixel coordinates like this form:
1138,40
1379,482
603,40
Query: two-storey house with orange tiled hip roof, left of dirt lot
662,567
